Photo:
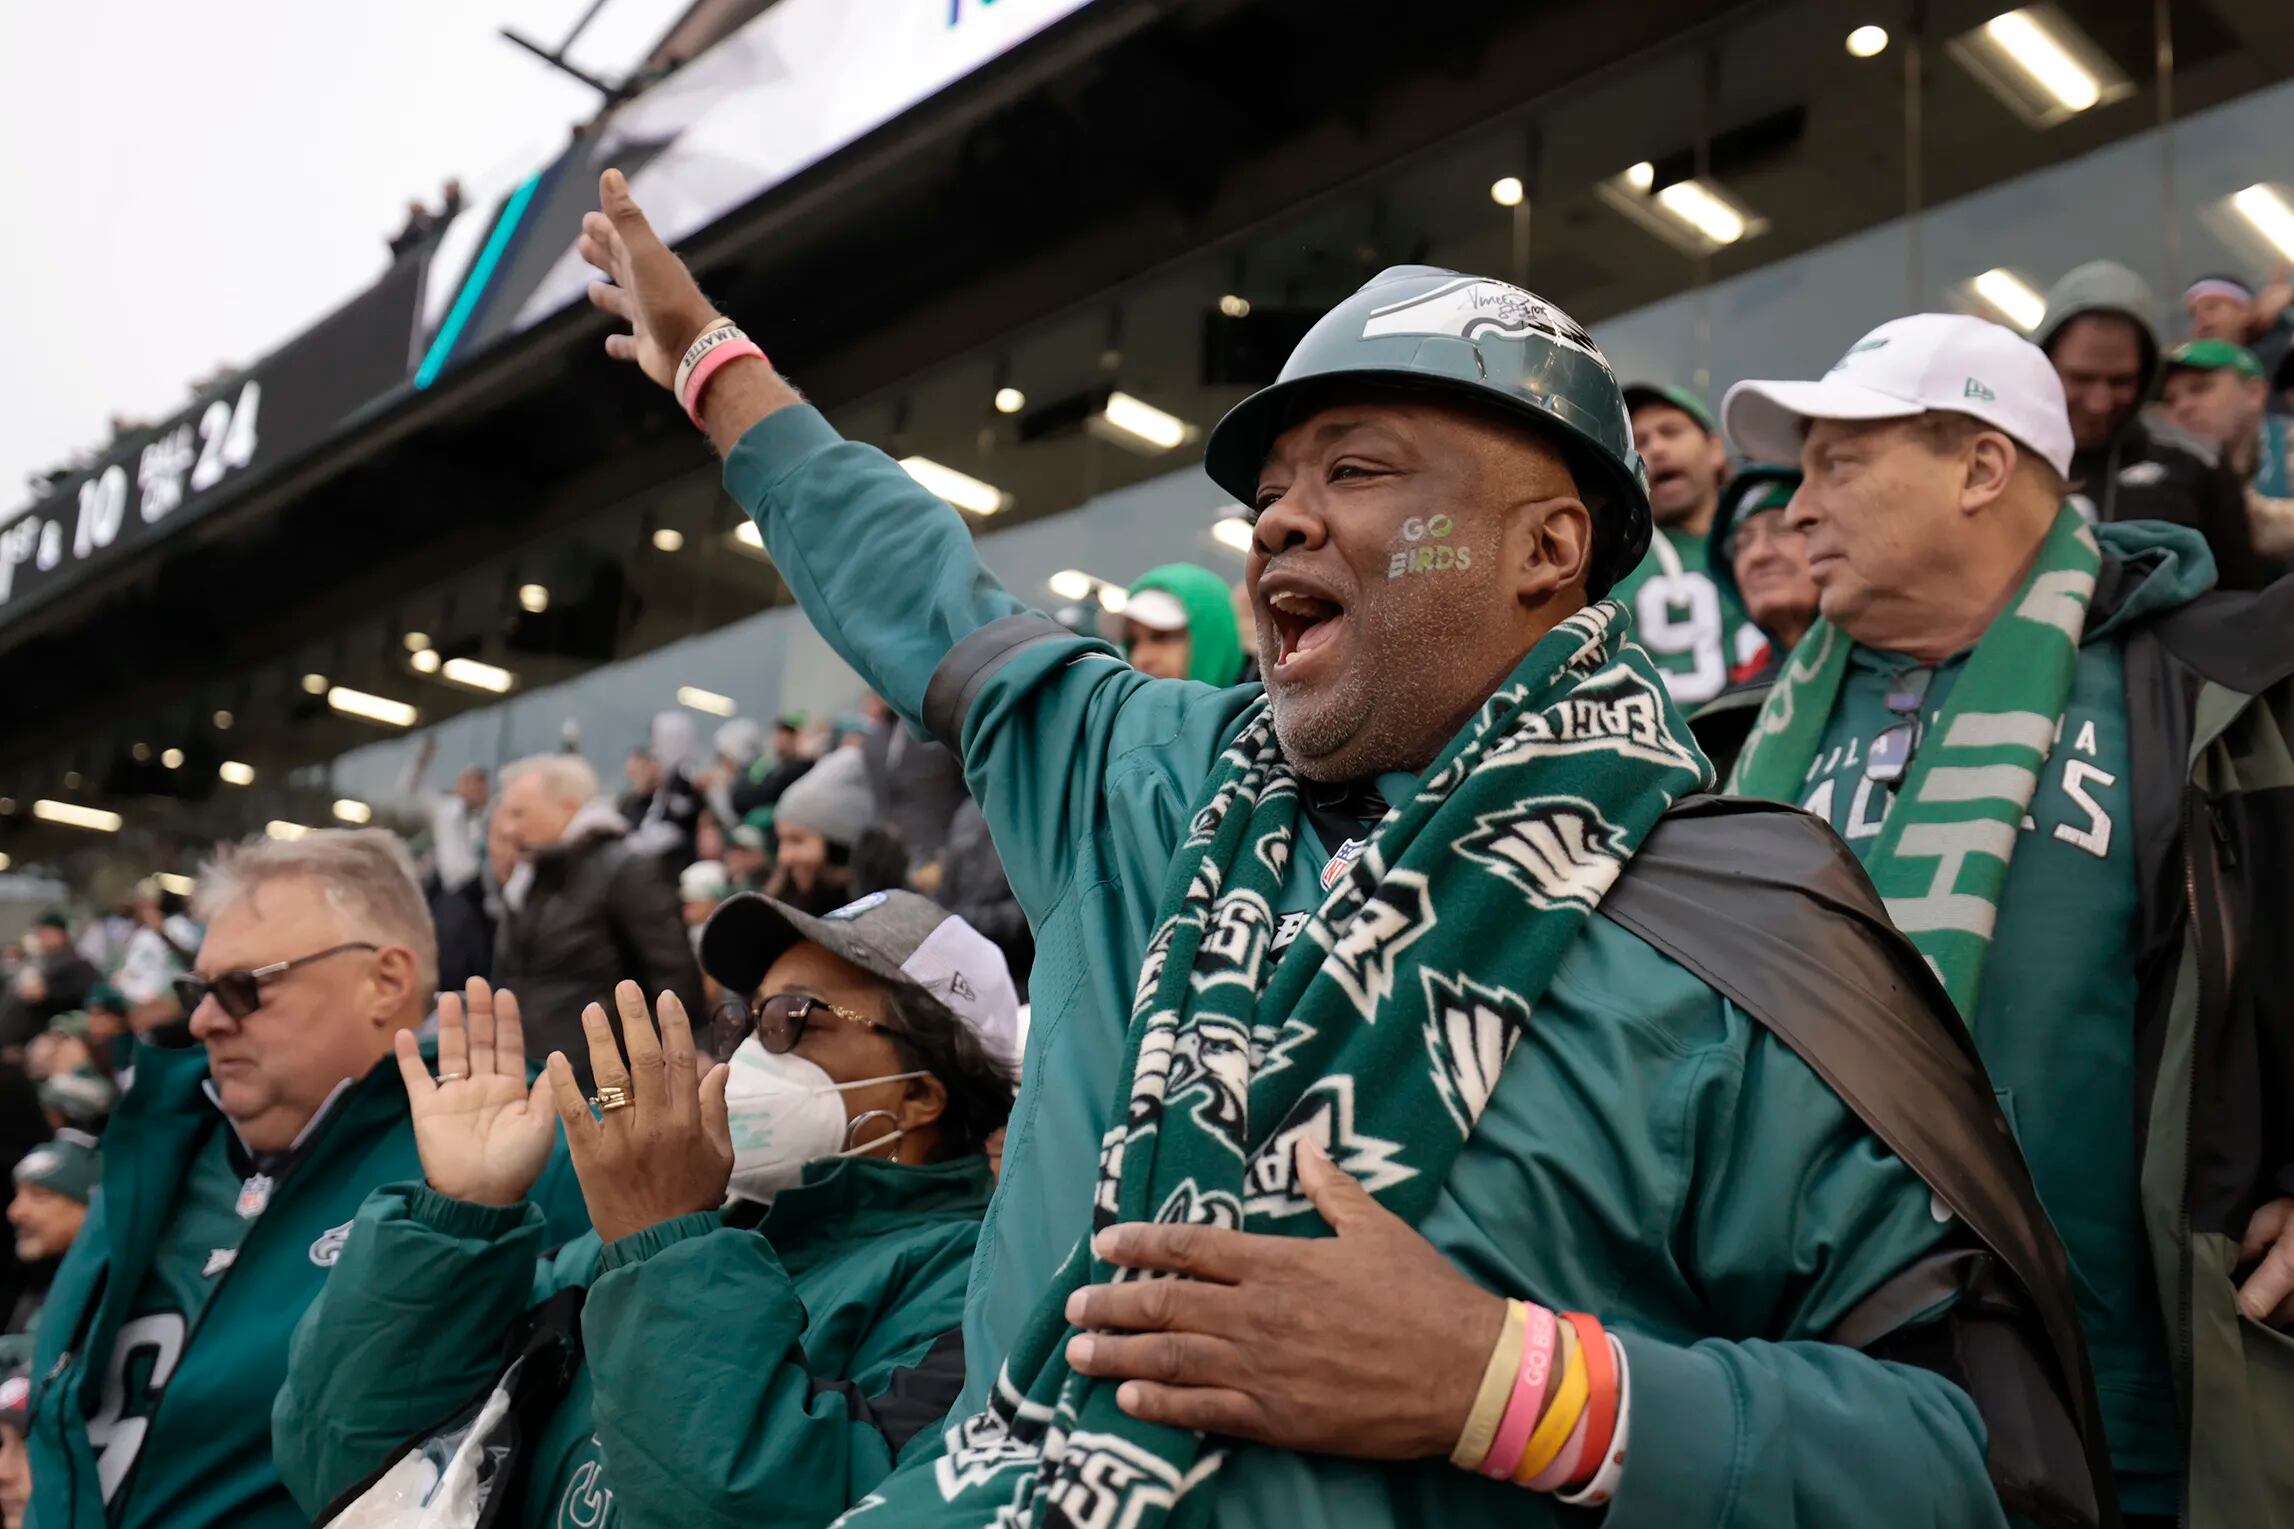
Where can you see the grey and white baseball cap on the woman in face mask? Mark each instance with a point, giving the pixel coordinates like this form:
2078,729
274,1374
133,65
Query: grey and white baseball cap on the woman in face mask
898,936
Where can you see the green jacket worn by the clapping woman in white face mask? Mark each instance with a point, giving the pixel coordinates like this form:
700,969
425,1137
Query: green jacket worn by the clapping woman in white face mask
735,1372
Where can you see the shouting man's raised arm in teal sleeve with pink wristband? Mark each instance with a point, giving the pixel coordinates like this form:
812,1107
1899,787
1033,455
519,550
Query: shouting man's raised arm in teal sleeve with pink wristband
1050,726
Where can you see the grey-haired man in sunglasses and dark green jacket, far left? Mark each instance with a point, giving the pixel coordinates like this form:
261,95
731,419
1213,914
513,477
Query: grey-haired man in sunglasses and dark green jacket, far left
231,1177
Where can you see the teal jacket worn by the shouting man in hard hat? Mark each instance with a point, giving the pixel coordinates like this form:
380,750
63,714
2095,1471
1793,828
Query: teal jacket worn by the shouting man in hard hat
1706,1179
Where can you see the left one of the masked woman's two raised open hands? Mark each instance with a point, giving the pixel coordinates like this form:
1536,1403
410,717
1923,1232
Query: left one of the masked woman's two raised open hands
481,1129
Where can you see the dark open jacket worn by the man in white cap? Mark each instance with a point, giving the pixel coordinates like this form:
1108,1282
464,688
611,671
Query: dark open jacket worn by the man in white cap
2210,735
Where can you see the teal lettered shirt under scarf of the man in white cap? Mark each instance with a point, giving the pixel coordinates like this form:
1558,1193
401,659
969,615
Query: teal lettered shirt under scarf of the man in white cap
2057,1019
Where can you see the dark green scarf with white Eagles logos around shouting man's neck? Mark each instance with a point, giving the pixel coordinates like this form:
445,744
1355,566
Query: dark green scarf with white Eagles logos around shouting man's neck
1378,1035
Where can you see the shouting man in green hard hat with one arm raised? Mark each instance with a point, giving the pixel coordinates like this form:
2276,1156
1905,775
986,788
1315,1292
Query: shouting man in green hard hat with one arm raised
1322,959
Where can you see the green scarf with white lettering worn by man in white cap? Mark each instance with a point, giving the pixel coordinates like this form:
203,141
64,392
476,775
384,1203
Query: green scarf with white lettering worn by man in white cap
1942,858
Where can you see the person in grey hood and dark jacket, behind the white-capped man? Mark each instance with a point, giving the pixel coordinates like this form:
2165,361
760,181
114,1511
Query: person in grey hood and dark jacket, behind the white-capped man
2130,466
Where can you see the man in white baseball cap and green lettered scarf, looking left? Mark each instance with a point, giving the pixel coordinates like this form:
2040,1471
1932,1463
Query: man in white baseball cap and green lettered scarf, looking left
1997,709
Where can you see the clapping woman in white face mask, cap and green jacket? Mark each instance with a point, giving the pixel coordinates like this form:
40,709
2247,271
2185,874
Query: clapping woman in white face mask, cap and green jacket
770,1308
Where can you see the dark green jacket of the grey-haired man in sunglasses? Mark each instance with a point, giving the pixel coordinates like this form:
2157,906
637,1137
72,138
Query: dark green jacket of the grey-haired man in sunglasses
217,1381
